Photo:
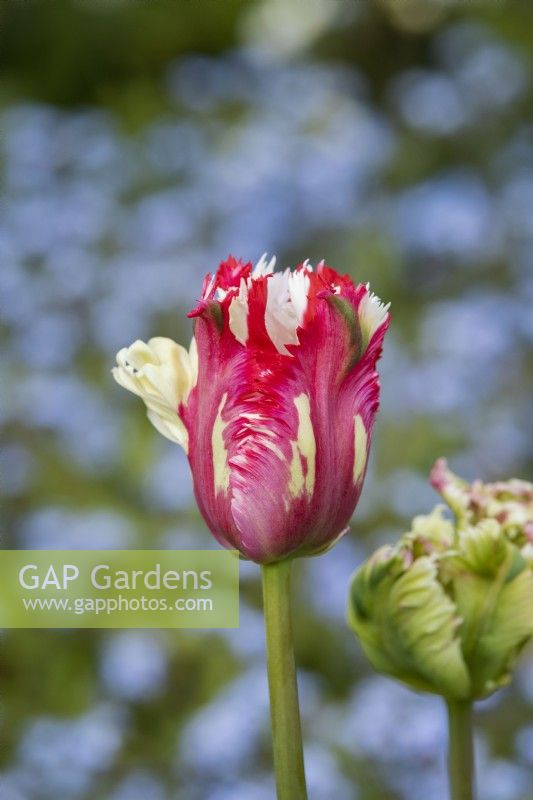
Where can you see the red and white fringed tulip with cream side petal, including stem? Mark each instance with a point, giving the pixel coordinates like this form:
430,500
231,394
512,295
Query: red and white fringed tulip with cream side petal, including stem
274,403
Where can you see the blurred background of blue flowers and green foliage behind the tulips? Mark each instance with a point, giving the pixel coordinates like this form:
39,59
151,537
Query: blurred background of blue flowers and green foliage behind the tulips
141,143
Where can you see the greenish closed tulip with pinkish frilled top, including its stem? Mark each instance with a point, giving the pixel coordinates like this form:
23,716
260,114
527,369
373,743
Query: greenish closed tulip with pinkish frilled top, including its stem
448,608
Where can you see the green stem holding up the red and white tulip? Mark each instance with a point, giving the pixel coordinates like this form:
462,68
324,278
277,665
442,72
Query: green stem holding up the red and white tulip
284,708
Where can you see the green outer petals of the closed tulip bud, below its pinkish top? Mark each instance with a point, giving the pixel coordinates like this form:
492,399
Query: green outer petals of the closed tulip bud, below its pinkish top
447,609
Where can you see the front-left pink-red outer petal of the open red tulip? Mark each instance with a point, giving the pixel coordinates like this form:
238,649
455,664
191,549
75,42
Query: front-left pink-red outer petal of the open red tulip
241,419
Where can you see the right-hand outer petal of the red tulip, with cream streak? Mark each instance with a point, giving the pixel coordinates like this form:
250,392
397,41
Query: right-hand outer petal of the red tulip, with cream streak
343,394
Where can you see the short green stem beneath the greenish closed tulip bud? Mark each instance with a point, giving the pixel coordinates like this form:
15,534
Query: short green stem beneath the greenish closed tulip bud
460,750
